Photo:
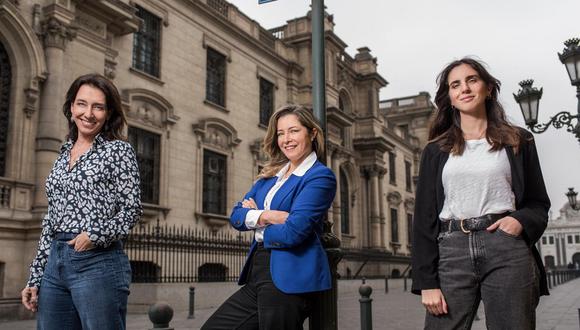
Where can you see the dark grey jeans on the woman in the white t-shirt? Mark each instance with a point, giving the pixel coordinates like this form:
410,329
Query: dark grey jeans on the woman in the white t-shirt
496,268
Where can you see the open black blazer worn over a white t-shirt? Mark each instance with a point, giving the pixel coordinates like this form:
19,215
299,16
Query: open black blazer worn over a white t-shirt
532,205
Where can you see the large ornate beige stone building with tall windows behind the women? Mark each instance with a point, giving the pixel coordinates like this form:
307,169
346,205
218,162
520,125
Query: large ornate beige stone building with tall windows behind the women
199,80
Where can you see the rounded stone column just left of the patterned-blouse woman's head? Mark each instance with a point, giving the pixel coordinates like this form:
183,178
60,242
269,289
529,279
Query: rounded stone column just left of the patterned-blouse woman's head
51,120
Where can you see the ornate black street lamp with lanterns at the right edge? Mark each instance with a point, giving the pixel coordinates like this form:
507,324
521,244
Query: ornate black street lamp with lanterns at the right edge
528,97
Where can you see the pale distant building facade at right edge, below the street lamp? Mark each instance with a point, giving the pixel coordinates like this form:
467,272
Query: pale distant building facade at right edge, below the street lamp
560,244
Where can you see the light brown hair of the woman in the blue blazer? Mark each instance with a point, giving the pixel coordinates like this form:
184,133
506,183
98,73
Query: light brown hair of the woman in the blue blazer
277,158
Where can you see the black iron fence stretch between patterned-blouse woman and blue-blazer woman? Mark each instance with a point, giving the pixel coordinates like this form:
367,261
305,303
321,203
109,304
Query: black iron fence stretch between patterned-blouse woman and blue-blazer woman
171,254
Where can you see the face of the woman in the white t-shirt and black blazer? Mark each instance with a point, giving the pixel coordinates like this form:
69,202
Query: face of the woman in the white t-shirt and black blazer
467,90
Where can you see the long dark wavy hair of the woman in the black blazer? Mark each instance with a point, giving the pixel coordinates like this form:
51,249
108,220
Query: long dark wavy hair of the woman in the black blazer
446,126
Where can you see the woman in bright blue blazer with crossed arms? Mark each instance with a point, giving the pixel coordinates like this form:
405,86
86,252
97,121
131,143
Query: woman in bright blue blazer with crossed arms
285,209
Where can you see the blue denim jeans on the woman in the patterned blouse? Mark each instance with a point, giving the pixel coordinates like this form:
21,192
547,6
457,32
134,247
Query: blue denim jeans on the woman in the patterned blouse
84,290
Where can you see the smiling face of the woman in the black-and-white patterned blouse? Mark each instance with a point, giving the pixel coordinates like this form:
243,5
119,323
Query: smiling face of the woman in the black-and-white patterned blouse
89,111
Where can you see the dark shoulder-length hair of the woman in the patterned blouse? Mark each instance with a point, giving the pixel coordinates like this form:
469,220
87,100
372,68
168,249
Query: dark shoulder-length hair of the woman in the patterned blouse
115,122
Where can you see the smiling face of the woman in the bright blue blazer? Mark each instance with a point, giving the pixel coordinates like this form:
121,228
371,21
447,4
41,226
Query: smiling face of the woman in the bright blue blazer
294,139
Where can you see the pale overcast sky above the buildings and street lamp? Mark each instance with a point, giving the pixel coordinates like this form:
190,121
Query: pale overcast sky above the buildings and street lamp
413,40
